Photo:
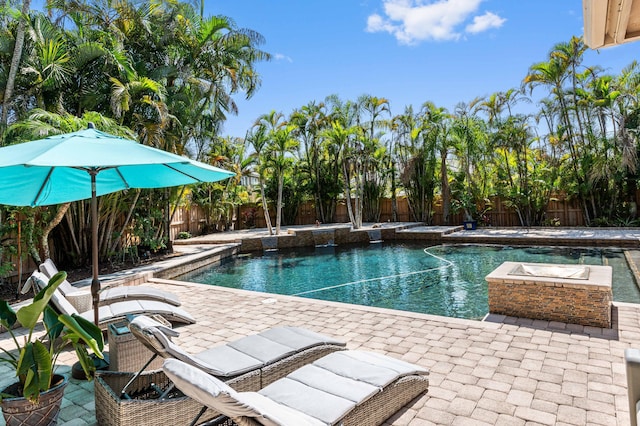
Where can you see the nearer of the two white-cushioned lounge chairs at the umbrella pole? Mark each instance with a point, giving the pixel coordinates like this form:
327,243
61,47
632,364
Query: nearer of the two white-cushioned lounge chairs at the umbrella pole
117,311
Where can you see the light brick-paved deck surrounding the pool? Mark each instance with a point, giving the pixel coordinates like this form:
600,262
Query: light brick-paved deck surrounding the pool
503,371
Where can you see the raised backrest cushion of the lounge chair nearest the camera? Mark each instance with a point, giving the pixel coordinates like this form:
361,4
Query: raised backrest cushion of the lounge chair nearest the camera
216,394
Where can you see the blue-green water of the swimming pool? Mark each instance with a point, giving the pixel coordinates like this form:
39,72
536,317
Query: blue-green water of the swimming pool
443,280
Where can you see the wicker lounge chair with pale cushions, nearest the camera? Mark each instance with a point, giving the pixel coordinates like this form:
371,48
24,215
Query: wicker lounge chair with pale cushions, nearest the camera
342,388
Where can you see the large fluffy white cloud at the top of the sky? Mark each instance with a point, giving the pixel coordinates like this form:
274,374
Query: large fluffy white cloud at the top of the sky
413,21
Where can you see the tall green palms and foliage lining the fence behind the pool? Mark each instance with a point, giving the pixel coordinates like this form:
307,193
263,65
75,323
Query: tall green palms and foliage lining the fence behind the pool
168,77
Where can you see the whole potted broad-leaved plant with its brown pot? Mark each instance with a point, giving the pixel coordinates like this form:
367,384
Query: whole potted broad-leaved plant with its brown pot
38,387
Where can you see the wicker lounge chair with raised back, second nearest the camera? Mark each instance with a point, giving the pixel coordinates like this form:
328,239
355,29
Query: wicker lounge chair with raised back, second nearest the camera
247,364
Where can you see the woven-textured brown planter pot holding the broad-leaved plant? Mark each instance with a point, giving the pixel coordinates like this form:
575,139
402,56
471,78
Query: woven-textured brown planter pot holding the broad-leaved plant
20,412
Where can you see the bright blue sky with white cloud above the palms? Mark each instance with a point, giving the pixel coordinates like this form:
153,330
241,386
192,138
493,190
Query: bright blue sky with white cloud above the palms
407,51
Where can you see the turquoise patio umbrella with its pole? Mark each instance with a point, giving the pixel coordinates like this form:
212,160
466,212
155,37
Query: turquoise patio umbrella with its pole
86,164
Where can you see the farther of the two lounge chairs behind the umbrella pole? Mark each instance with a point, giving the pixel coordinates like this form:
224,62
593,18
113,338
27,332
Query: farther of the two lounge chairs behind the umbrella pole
81,299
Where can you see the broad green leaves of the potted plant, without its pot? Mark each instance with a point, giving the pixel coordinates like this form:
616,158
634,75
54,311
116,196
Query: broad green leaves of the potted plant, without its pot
34,363
